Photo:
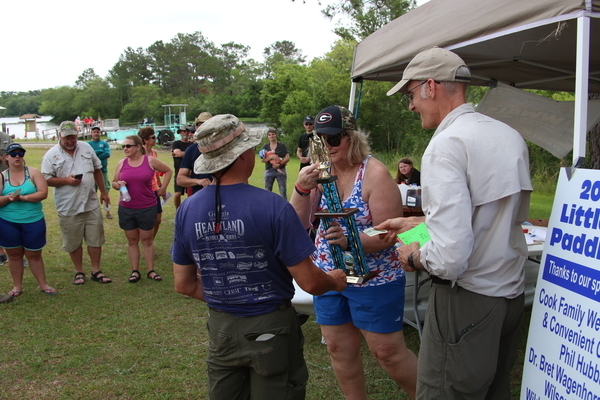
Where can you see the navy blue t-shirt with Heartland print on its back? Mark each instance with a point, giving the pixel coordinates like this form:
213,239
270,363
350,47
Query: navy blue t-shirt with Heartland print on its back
244,267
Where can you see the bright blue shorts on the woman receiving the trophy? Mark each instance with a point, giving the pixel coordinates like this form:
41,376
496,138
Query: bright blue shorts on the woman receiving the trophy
378,309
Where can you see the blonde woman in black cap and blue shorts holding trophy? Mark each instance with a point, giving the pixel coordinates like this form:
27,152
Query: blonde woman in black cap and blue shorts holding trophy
373,309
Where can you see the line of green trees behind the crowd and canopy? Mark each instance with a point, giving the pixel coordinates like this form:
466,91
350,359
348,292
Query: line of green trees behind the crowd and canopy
279,91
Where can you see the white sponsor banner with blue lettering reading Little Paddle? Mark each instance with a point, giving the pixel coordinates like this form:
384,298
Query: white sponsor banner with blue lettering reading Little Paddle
562,357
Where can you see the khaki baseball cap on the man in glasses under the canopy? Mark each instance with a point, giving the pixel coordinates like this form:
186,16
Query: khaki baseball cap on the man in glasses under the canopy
435,63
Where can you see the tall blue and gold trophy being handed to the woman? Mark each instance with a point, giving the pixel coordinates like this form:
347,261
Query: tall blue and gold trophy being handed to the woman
352,261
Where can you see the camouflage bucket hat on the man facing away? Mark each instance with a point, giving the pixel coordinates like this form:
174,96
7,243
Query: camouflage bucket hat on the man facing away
221,140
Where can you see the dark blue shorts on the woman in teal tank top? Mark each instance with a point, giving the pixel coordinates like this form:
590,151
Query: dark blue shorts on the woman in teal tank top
31,236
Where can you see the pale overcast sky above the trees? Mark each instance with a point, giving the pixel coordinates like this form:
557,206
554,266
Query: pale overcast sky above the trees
50,43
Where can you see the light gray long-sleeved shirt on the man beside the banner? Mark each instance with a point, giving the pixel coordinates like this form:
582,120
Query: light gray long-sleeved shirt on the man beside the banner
476,189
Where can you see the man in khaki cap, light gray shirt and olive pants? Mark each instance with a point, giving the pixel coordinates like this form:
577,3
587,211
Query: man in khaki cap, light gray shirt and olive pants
473,210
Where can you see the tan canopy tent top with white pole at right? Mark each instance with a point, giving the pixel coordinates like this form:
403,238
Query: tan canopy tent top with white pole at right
528,44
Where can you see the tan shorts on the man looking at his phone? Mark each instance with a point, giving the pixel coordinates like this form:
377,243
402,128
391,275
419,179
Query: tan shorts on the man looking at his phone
86,226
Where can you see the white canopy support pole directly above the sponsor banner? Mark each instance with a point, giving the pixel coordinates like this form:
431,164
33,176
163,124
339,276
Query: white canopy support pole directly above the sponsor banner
581,89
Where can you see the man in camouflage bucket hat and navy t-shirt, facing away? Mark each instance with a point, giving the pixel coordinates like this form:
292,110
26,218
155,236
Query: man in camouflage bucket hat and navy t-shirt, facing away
237,247
